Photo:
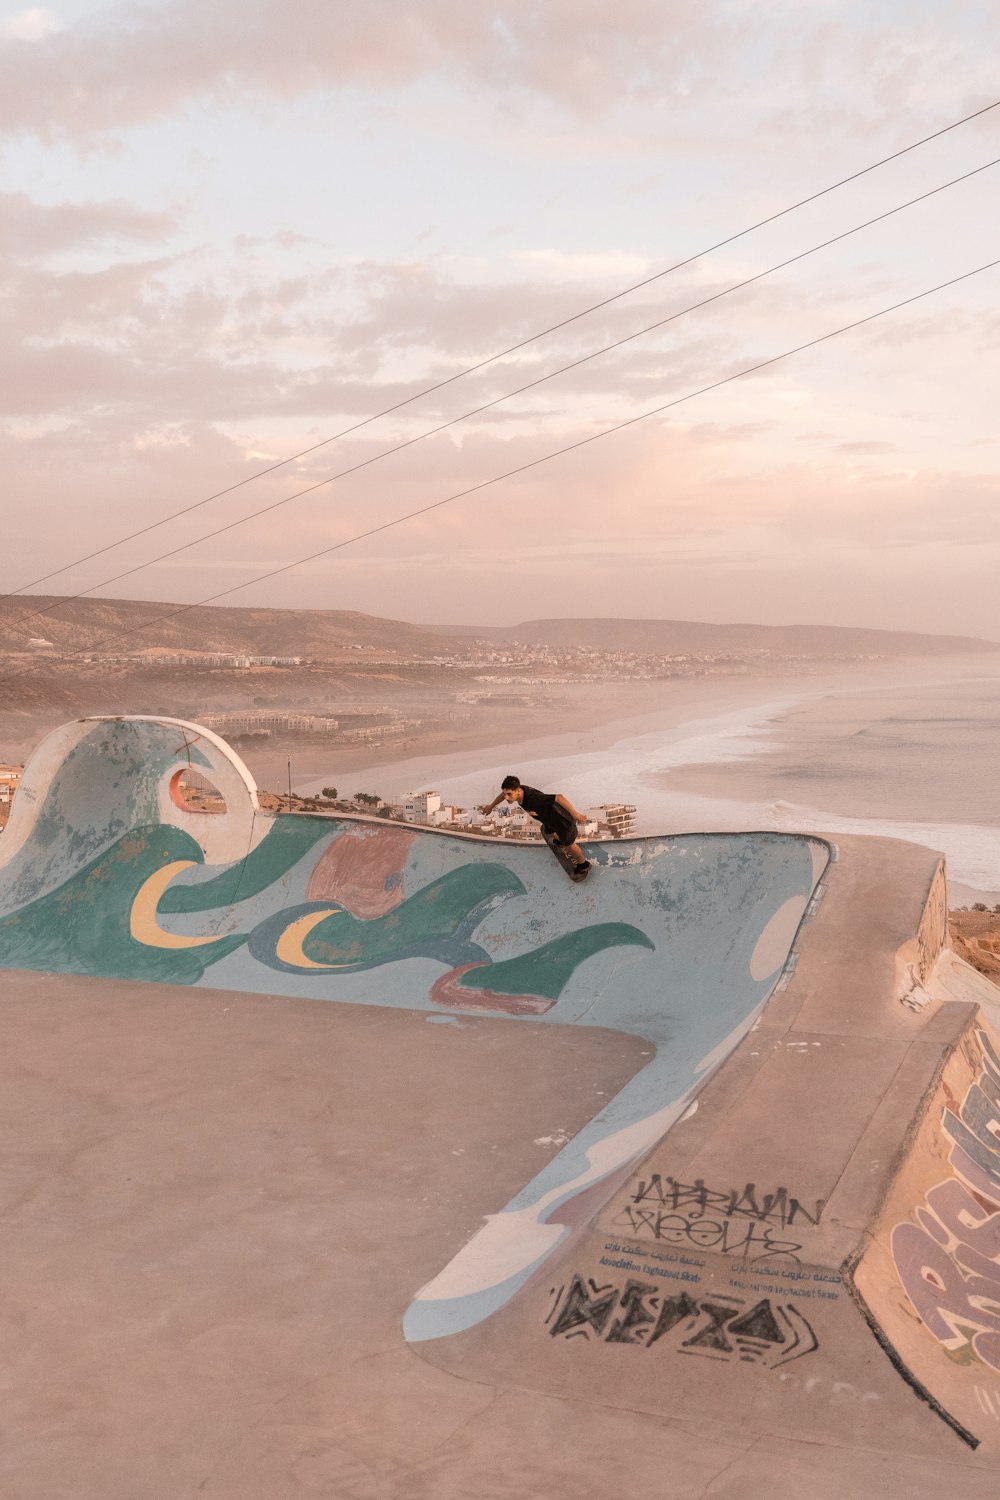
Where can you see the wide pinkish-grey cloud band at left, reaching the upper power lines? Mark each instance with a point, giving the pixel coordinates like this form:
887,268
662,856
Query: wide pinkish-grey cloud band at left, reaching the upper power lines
241,332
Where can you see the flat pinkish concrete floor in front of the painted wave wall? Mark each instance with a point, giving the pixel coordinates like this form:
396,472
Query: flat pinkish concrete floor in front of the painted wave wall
217,1210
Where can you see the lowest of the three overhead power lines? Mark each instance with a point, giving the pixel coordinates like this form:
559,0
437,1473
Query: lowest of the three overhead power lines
524,469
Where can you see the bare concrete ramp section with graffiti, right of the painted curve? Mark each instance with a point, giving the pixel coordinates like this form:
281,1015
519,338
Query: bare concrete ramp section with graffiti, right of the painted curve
813,1253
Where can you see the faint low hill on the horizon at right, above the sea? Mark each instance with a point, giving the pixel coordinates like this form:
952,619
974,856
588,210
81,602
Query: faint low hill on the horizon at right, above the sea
681,637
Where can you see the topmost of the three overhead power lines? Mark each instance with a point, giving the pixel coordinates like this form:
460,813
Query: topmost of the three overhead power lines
513,349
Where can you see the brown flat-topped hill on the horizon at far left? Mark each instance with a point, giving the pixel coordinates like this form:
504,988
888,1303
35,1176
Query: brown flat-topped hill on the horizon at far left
133,626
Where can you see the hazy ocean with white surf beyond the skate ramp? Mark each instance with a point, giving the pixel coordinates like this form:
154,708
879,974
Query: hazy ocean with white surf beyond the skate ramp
905,752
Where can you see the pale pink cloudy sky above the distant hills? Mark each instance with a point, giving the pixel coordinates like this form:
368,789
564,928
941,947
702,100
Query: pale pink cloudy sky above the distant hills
227,235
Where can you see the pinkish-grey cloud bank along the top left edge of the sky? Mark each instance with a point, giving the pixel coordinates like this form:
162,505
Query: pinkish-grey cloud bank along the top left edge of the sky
133,64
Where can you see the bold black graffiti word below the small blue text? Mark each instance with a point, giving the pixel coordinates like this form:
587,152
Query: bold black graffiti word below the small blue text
720,1327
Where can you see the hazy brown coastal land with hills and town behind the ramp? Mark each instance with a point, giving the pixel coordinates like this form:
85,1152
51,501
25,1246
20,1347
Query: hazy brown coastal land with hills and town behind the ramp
361,691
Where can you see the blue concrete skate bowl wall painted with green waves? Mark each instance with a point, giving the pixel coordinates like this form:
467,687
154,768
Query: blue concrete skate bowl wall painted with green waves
106,872
